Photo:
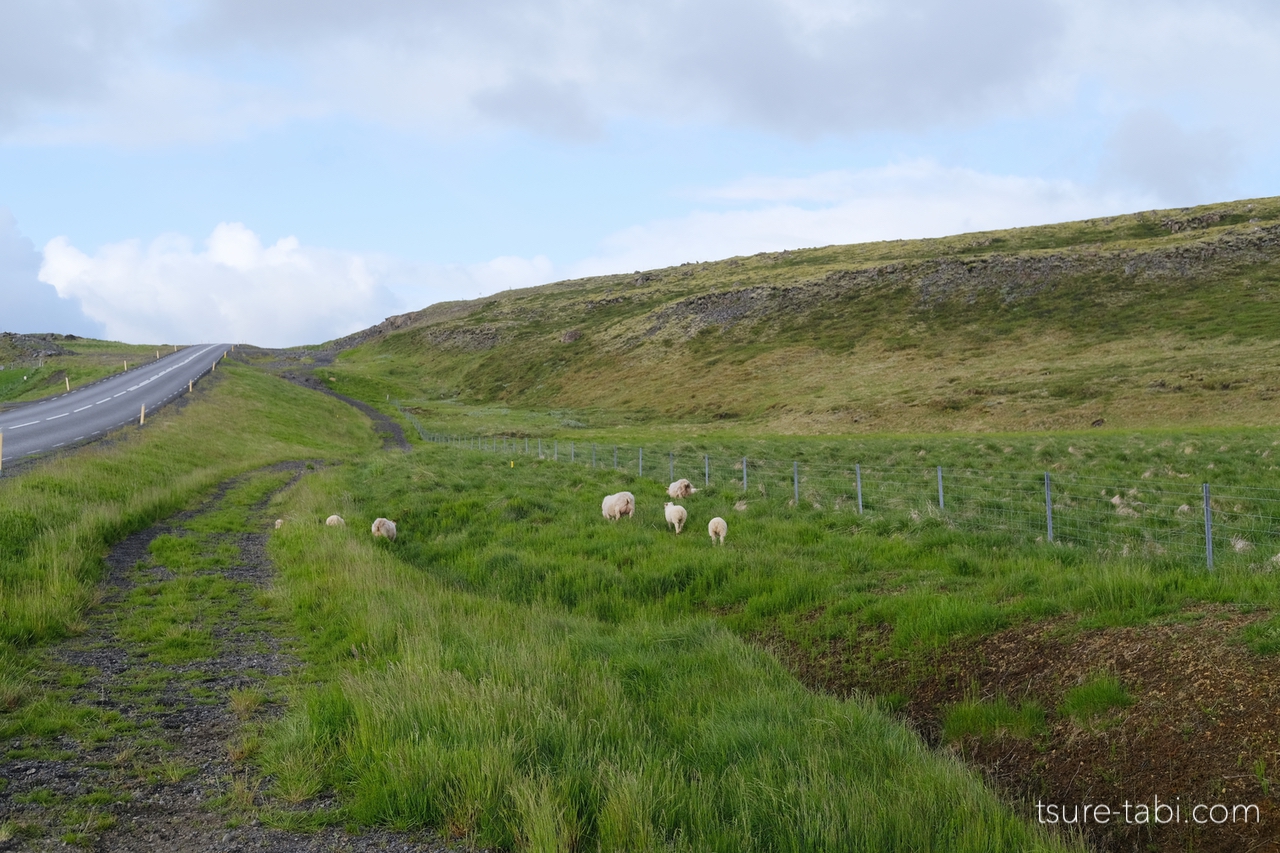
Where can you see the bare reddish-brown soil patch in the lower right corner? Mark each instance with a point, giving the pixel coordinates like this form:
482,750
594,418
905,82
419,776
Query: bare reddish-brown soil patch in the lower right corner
1204,727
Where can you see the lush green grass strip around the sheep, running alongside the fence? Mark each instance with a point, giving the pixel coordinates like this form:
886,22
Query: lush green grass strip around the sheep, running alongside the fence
534,535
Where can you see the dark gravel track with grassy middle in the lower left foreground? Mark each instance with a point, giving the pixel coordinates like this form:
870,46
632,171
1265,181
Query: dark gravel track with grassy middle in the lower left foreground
168,768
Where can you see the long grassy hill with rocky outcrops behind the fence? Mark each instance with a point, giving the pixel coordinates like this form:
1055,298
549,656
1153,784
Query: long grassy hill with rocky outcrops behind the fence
1146,320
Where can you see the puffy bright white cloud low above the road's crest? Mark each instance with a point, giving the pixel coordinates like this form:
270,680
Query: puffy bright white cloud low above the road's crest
239,290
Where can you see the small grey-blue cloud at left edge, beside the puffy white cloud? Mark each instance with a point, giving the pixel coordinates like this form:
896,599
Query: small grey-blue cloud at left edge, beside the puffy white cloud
26,303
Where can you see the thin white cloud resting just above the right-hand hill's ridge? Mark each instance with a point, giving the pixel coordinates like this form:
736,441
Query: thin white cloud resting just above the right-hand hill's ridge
918,199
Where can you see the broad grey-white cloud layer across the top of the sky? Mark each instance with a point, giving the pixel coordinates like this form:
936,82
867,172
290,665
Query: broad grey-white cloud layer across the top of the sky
144,70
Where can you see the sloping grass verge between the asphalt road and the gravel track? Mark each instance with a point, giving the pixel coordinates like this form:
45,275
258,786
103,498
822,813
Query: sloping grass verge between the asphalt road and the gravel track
58,518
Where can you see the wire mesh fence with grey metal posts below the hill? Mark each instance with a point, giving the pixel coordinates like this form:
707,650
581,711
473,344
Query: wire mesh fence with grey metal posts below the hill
1163,521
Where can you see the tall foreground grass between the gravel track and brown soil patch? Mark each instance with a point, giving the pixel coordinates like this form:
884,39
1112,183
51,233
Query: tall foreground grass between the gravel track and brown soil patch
523,723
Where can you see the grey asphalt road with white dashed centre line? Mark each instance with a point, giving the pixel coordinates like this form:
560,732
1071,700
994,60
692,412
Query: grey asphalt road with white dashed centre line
92,412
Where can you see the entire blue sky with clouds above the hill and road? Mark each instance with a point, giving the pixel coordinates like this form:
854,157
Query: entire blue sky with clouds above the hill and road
286,172
